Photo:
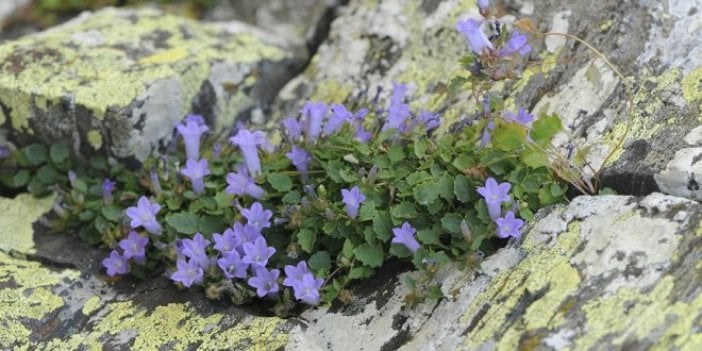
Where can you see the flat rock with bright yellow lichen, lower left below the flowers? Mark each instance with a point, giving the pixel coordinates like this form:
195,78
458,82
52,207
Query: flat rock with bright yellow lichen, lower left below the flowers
52,298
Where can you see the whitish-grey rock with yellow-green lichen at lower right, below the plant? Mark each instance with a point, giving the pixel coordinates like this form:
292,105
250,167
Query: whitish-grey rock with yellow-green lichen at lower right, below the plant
603,273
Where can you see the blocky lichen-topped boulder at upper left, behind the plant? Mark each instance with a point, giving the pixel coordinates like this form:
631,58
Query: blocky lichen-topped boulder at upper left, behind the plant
119,80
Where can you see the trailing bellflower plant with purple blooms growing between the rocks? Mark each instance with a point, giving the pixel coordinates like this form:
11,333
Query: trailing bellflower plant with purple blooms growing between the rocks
344,191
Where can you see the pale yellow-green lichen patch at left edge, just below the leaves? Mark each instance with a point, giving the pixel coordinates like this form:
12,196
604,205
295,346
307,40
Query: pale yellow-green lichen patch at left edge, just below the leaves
16,221
